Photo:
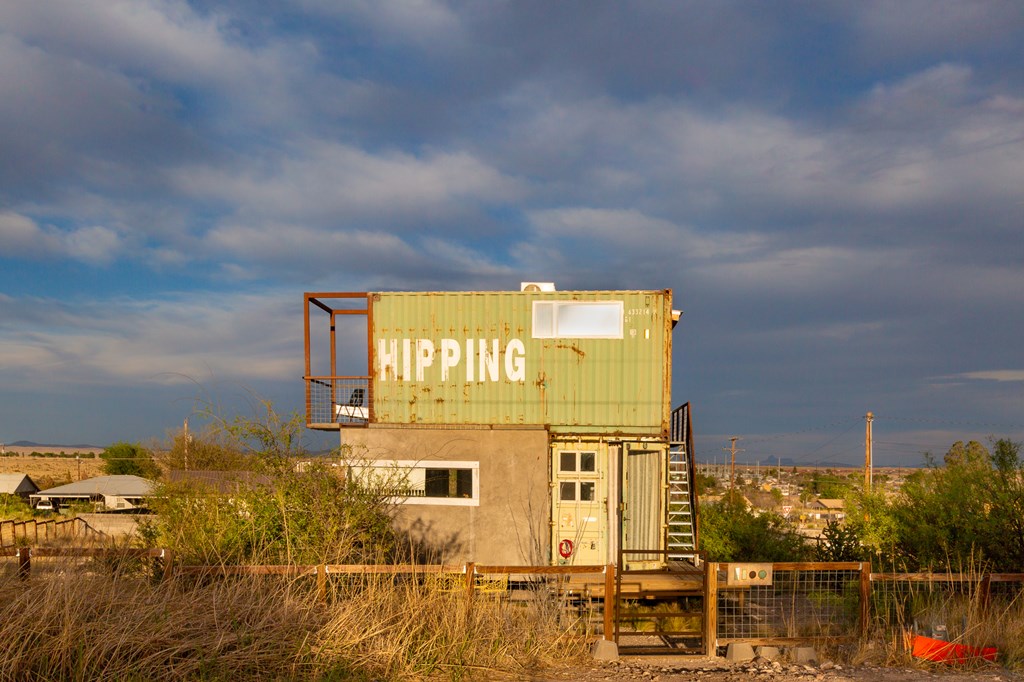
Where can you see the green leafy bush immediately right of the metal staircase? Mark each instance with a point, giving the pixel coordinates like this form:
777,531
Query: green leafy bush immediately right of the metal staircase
732,532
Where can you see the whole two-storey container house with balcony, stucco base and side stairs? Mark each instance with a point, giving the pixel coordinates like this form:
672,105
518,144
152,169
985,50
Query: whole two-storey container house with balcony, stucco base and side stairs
517,428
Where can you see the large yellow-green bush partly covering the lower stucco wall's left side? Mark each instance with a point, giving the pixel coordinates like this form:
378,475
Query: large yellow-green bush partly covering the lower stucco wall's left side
275,513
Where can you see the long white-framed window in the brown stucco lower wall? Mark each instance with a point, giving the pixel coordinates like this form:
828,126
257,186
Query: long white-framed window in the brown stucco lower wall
424,482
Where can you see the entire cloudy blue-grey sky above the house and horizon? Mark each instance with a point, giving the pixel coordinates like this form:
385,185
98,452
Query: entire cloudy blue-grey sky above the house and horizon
833,191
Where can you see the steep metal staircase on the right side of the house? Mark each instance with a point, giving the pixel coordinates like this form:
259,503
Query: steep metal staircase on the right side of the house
682,514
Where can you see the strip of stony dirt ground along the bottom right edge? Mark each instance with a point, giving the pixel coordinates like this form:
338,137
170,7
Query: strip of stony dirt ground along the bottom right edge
705,669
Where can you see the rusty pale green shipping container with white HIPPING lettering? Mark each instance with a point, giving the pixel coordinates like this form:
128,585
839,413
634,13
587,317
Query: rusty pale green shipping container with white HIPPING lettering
587,362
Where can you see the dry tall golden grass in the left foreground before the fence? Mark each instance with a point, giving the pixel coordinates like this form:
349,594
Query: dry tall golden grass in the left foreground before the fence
104,622
